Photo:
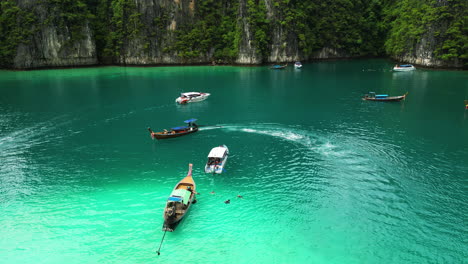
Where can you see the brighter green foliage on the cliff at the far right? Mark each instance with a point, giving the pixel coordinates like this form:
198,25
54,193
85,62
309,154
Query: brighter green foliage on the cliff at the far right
446,21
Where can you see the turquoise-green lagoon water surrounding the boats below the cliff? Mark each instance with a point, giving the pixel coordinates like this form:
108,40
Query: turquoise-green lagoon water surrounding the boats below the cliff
325,176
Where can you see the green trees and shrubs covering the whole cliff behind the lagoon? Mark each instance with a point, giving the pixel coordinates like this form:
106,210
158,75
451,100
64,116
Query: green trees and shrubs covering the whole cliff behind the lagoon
212,29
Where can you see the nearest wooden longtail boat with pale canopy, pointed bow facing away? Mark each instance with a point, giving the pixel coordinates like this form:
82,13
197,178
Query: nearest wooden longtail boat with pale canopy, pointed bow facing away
179,202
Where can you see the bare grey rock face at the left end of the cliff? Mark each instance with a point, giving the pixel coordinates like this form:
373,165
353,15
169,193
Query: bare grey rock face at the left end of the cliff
51,45
